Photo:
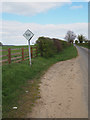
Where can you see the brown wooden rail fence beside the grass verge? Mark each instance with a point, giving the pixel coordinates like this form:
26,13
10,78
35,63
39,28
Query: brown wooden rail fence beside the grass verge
16,55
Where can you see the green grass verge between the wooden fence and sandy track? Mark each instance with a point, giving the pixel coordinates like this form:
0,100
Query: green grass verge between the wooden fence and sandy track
18,77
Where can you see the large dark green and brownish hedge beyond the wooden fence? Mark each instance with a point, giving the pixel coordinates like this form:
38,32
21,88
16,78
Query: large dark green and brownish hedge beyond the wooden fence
49,47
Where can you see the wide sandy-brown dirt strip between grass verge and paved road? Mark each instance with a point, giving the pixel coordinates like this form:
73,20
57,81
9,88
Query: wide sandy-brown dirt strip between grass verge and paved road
62,94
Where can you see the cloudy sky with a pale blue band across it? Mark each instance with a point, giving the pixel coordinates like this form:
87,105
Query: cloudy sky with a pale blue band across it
50,19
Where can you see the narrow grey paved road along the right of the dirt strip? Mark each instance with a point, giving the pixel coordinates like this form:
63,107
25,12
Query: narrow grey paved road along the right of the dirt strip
83,61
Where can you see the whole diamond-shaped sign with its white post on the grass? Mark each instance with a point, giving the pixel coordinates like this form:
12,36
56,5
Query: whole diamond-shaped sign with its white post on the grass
28,35
